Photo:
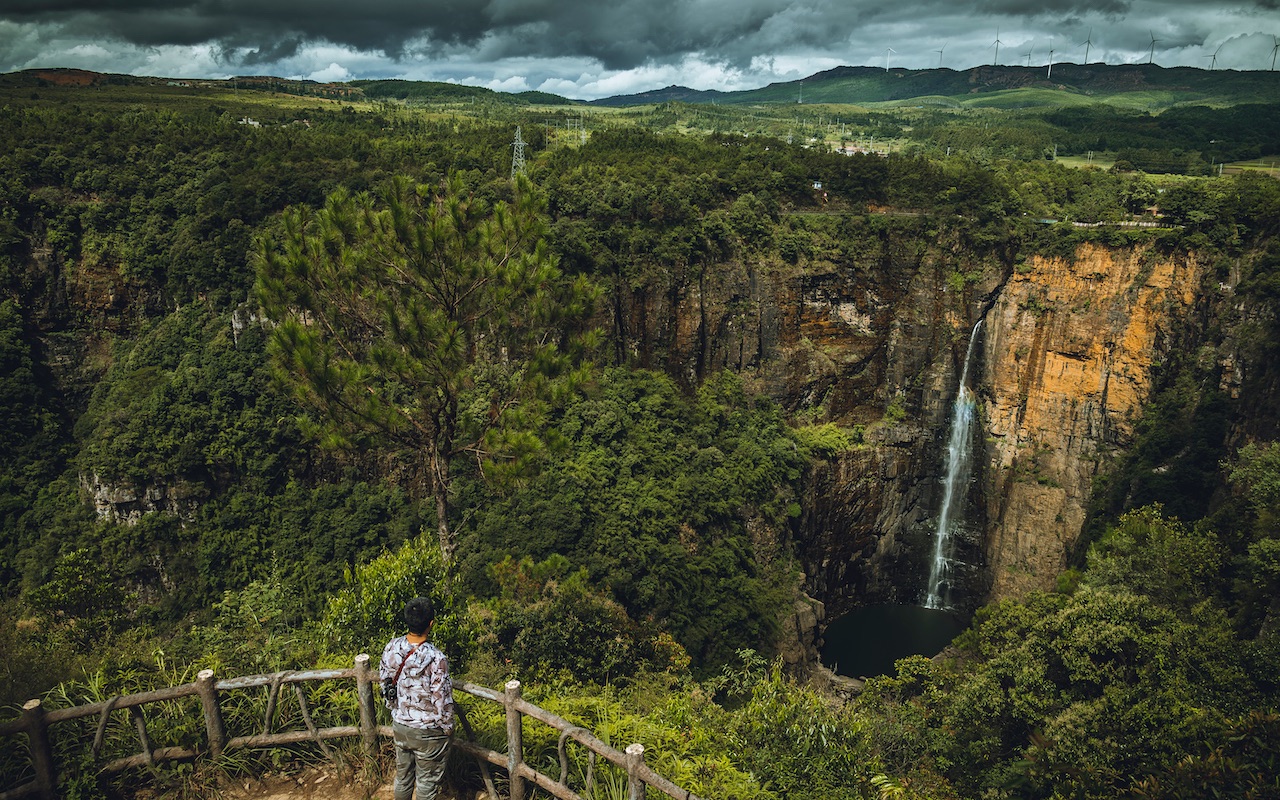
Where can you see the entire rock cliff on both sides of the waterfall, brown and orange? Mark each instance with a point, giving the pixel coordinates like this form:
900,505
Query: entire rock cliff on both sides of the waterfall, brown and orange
1069,355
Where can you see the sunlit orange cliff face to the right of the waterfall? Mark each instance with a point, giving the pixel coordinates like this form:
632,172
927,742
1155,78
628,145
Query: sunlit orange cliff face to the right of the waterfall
1071,359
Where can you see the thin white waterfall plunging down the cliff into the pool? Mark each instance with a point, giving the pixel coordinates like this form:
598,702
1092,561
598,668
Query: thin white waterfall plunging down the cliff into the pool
958,468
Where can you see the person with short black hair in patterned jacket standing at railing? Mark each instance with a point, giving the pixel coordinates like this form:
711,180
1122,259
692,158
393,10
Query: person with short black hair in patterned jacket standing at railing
419,691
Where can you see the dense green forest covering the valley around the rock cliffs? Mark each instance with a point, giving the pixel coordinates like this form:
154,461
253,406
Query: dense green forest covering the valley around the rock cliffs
171,499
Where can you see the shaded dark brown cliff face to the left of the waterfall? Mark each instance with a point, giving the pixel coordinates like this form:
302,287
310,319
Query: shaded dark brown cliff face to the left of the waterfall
872,340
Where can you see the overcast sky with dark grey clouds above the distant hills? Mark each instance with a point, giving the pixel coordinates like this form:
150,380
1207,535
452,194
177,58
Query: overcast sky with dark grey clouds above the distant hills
588,51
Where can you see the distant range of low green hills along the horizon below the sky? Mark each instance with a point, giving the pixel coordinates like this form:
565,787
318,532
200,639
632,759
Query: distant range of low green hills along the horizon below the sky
1141,86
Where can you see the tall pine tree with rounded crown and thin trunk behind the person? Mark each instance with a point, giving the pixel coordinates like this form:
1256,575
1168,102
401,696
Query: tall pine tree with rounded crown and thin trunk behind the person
426,319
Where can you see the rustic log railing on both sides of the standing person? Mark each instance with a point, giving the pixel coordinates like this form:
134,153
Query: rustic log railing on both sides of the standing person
36,723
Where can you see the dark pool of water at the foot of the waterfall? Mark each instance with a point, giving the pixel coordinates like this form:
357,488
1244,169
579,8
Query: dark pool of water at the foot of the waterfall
866,642
